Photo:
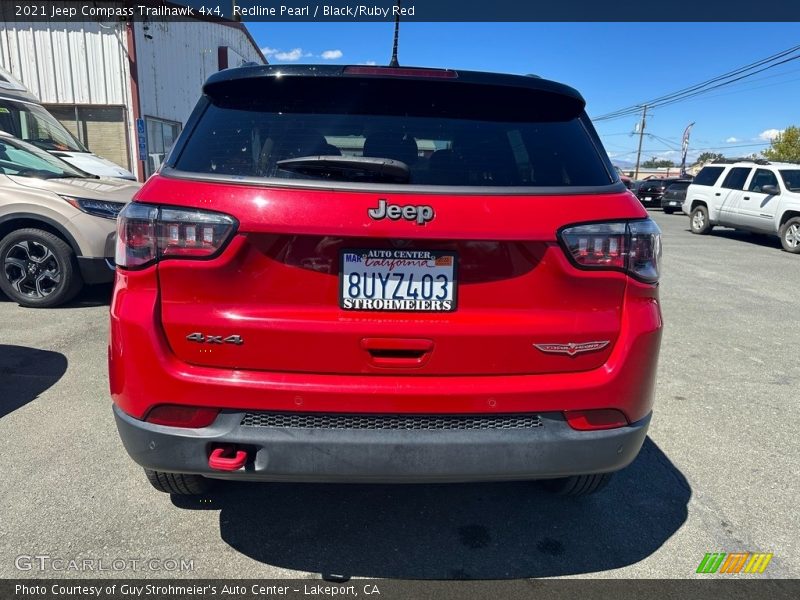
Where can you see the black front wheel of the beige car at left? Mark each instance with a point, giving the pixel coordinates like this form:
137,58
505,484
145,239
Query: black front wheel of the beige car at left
39,269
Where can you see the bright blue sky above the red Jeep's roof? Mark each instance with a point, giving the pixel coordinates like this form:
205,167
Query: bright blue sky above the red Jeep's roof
613,65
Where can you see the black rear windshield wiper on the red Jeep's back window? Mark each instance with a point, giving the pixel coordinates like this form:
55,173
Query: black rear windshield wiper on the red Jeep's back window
350,168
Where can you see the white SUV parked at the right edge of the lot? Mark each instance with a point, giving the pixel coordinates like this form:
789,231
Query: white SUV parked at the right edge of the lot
753,195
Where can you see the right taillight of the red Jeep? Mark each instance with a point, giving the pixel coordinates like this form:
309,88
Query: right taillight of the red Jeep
633,247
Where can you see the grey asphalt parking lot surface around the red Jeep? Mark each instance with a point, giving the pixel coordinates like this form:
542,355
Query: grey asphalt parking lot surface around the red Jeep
718,472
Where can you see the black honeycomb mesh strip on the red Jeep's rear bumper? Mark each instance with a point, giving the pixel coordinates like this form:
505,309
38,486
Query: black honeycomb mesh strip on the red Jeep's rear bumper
388,422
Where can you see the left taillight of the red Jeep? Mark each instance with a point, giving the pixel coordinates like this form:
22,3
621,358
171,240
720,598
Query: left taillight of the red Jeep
147,233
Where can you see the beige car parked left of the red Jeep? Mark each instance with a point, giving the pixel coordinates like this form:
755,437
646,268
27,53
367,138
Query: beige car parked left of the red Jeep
57,225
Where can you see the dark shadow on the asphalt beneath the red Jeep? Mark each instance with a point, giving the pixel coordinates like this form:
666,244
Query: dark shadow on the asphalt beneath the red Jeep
453,531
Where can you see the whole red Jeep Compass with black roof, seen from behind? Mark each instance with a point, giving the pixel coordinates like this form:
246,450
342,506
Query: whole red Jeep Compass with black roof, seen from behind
384,274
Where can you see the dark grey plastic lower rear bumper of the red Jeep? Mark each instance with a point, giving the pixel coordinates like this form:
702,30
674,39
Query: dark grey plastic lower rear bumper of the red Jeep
364,455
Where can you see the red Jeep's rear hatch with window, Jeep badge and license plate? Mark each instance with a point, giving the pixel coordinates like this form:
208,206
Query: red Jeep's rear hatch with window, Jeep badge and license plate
458,270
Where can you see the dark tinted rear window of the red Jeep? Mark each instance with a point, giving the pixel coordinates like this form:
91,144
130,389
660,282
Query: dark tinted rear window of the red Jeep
446,134
